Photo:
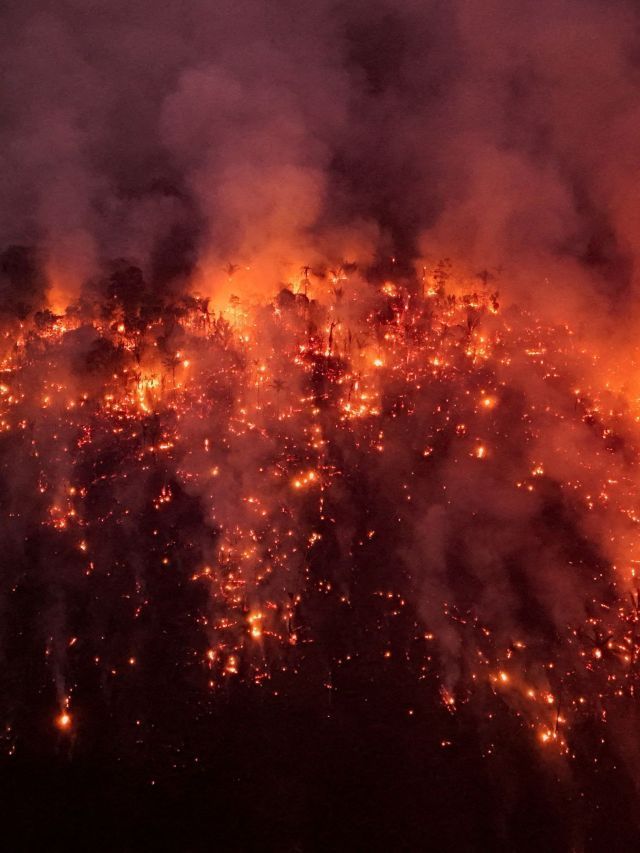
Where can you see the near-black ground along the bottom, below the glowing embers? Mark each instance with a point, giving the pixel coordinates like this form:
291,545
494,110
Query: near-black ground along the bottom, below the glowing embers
353,771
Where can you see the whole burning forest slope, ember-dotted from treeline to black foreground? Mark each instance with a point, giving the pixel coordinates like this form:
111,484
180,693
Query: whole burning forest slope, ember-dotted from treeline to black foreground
402,470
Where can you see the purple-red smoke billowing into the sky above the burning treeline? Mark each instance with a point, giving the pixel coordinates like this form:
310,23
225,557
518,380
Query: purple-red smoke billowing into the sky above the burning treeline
191,133
